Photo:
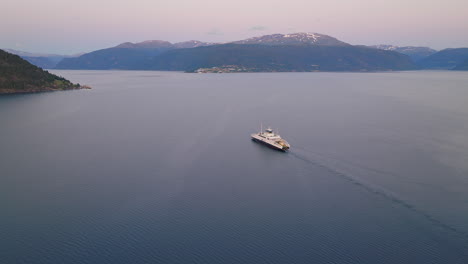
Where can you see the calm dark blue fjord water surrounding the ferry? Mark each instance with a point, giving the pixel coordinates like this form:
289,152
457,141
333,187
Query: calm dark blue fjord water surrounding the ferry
158,167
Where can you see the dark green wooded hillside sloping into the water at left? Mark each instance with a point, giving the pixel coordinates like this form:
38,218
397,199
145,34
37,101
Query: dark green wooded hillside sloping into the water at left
19,76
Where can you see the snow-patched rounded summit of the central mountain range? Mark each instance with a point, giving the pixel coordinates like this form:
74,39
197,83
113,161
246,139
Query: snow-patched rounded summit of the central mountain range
294,39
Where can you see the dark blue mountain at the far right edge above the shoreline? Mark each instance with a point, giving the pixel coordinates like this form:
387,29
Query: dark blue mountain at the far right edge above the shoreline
446,59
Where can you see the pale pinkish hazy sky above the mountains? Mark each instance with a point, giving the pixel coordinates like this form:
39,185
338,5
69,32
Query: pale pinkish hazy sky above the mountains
73,26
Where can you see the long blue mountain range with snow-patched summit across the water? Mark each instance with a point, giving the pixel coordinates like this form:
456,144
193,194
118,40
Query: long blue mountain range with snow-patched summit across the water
277,52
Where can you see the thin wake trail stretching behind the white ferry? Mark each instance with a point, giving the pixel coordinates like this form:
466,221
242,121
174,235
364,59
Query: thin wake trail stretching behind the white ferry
375,190
